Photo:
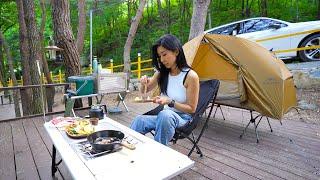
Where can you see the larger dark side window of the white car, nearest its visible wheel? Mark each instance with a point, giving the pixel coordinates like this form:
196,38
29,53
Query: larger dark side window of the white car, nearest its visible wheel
260,25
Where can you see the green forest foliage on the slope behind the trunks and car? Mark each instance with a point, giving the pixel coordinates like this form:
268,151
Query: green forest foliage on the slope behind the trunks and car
111,22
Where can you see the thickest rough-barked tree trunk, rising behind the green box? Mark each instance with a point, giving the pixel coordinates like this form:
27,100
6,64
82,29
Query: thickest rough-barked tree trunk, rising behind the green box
64,37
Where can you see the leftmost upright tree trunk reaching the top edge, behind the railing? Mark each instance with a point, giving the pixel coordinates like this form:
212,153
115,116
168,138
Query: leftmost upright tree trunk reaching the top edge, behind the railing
26,94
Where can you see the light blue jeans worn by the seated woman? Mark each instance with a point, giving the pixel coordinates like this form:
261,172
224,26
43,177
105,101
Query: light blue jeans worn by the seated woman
164,124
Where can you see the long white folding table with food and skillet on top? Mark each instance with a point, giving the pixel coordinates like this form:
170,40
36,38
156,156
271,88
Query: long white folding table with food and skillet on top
150,159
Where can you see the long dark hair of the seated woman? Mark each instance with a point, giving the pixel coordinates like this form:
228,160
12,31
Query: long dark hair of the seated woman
171,43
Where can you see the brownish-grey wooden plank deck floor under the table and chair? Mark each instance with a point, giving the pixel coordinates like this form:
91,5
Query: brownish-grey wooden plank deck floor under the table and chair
291,151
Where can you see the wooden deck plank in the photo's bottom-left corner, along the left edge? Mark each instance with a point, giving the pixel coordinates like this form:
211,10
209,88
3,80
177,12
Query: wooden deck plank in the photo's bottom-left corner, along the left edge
7,163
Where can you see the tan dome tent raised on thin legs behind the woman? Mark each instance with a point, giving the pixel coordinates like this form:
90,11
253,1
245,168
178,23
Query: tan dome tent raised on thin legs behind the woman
248,72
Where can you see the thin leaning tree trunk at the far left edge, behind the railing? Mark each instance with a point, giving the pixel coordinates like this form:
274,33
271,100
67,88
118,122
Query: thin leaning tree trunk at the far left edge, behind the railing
16,93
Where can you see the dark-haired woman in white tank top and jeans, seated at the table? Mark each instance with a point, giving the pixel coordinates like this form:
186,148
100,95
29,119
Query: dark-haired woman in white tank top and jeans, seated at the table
179,87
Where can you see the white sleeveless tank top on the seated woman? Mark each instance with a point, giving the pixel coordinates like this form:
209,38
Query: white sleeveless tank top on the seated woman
176,89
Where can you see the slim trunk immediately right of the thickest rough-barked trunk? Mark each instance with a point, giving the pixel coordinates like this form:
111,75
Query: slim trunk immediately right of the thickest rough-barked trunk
81,25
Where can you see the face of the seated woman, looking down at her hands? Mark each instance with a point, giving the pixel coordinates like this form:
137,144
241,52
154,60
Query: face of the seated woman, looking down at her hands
167,57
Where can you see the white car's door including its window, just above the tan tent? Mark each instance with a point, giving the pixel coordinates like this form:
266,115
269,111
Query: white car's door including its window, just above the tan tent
264,32
